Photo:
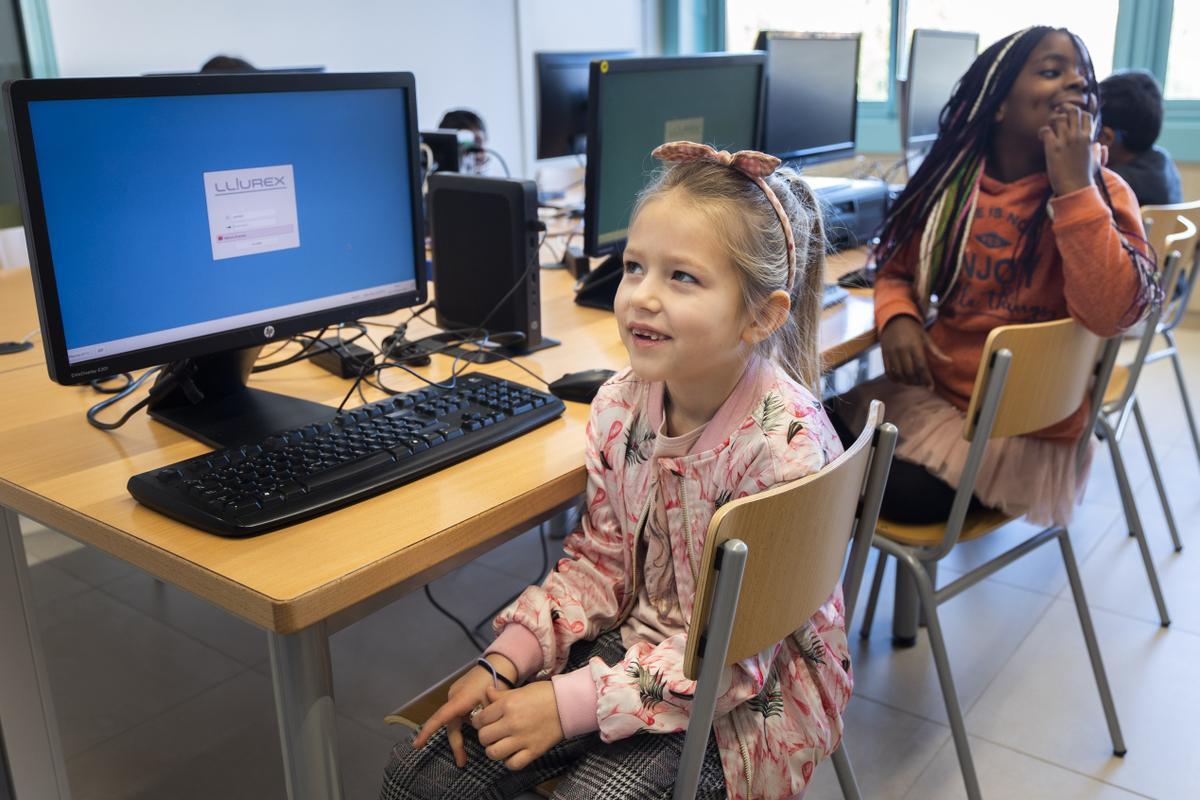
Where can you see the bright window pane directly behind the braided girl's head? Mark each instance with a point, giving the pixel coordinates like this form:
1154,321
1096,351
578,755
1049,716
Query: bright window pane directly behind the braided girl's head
1094,21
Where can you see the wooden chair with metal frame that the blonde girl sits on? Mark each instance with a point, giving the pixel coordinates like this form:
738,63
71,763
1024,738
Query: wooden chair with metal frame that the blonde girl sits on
770,562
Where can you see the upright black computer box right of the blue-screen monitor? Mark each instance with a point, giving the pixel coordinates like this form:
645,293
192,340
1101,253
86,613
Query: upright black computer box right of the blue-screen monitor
485,258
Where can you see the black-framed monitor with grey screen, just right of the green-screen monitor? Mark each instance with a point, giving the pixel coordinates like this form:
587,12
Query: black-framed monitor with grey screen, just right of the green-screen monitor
812,100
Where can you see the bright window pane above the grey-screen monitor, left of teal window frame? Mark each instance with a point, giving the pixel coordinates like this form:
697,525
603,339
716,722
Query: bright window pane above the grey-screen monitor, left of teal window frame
873,19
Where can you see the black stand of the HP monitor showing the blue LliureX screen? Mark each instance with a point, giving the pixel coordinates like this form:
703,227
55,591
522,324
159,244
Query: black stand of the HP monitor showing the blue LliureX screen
208,400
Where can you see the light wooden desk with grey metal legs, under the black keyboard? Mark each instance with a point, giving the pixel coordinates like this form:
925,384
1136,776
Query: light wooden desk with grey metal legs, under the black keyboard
308,581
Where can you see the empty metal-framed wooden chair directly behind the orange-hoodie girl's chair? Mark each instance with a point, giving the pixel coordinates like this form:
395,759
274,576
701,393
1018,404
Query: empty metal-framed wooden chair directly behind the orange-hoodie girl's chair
1120,406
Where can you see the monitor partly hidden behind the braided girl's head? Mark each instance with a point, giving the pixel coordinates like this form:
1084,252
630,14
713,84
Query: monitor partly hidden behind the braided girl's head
937,62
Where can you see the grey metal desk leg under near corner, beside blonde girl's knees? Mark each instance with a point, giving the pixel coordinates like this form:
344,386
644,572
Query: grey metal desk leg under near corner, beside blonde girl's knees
304,706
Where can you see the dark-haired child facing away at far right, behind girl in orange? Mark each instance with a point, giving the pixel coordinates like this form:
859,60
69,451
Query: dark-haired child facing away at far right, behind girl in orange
1131,121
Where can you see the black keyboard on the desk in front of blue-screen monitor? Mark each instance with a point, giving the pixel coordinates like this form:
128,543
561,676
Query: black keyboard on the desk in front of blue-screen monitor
298,474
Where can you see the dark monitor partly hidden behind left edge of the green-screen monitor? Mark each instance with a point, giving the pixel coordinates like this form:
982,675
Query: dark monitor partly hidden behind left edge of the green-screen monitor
563,100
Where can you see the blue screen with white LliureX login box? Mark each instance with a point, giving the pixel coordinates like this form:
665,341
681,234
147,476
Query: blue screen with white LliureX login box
172,218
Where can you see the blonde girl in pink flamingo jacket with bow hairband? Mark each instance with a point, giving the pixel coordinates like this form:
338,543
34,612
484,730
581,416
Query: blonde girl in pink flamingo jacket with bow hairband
718,309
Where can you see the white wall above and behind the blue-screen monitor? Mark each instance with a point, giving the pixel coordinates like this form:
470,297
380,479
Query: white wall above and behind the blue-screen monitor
465,53
